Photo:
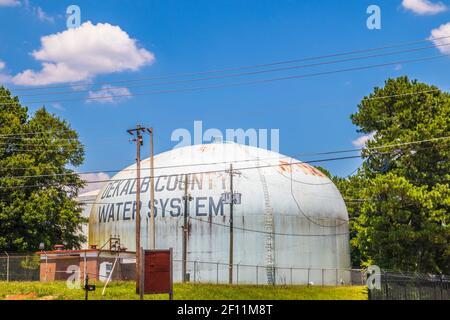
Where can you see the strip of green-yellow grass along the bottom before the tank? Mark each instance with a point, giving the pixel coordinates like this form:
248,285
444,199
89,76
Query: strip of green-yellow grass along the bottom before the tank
125,291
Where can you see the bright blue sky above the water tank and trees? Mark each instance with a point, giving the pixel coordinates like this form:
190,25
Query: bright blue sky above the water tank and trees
174,37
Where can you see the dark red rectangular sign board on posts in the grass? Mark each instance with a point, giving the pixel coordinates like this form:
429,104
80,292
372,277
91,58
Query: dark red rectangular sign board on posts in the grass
158,272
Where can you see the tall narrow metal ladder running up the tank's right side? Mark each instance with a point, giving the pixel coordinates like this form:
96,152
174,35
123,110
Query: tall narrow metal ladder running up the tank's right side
269,229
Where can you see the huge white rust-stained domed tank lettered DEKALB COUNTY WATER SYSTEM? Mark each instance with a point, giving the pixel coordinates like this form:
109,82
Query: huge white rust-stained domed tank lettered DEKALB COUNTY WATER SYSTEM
290,223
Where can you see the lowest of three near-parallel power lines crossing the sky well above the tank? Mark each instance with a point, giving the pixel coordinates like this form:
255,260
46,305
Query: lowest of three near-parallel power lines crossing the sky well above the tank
237,84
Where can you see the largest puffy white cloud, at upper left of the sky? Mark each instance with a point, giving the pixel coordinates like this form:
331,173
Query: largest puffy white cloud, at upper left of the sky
83,53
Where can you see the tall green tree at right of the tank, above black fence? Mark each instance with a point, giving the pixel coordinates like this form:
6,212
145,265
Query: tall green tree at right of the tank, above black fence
401,221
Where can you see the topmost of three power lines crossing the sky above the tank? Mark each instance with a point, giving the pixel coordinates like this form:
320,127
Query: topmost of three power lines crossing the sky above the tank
177,75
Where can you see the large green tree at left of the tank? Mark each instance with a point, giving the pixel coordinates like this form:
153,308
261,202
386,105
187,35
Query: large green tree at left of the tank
37,187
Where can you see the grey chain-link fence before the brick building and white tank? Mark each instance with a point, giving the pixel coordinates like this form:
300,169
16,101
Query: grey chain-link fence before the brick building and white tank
26,267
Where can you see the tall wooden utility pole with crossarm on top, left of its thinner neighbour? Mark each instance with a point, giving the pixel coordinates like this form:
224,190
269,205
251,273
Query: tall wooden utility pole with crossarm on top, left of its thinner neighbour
139,142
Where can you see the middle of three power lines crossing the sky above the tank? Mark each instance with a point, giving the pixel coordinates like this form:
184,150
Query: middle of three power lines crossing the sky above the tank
233,75
